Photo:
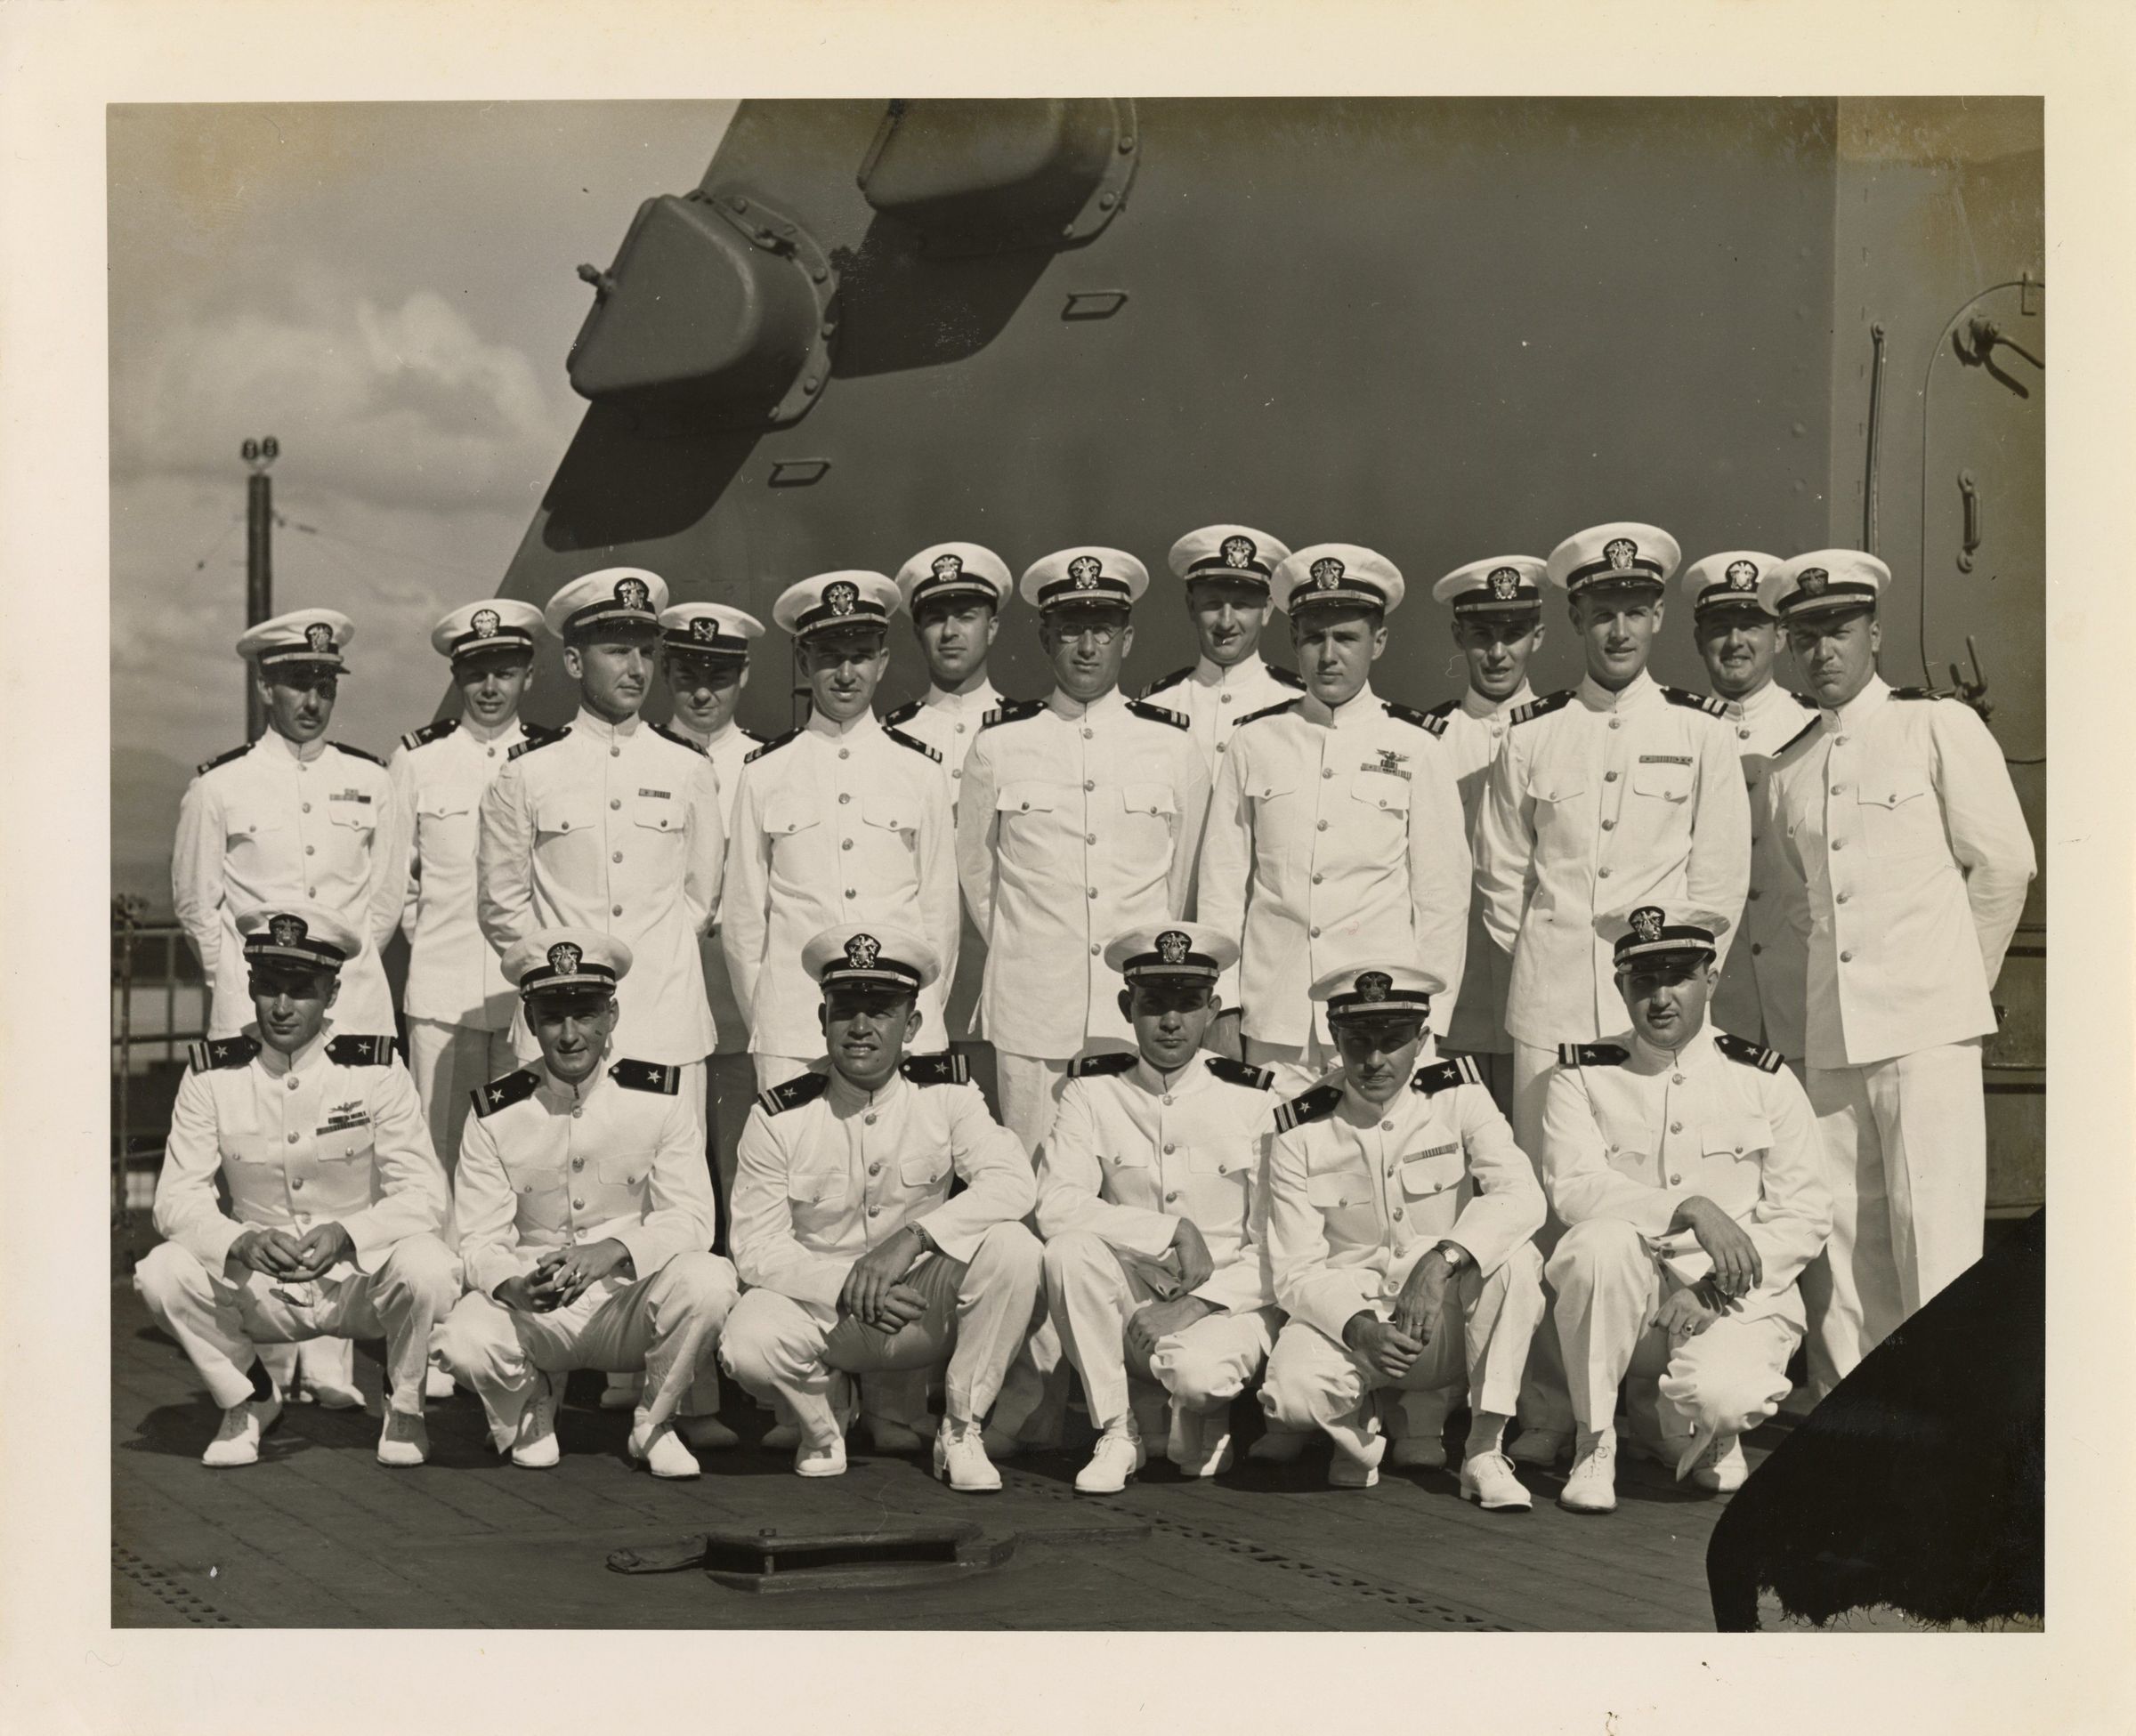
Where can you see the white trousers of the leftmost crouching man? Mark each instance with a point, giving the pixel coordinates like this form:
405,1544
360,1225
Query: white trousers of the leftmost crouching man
221,1321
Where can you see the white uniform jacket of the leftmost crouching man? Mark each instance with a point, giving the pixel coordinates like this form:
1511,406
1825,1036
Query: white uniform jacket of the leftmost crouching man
330,1135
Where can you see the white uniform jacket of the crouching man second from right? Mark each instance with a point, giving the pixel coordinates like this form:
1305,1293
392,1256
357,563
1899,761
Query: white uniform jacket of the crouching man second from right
1357,1197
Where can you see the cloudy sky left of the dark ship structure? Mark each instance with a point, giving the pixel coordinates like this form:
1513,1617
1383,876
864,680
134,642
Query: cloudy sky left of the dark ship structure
390,289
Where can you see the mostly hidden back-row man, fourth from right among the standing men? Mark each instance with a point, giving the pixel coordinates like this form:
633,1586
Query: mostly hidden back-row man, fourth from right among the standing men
1498,629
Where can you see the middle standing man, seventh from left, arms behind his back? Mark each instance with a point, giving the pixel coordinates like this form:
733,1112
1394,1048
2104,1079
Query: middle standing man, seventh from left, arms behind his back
1080,819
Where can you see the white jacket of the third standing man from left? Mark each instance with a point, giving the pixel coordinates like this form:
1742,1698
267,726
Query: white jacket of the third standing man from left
612,827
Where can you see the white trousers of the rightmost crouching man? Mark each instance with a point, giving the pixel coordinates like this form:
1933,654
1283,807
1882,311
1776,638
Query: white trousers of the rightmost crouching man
1721,1383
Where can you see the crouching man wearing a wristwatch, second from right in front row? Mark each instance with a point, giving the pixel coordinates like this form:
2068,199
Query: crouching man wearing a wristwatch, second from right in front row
1400,1231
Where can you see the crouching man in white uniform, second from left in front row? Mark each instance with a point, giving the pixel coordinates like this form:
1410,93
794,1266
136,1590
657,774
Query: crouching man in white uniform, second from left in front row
586,1225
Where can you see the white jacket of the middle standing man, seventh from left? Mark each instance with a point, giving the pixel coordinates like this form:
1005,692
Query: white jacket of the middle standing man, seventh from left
1078,823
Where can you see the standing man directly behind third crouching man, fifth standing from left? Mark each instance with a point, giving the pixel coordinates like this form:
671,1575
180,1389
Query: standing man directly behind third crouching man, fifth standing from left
843,821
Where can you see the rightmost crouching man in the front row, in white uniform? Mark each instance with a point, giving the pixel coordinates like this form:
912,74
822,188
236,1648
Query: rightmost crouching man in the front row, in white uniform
1684,1165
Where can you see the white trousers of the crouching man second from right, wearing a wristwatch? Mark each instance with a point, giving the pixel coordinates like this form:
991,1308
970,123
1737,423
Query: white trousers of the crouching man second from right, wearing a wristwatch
1317,1383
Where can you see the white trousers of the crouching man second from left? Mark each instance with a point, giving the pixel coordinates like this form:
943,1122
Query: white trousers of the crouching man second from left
663,1325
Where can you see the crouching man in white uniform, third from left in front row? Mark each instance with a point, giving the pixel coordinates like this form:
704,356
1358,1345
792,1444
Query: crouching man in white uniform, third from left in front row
855,1254
